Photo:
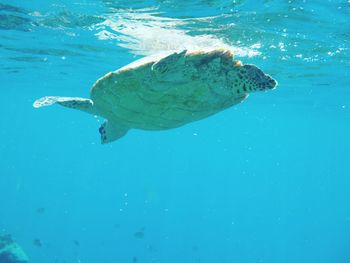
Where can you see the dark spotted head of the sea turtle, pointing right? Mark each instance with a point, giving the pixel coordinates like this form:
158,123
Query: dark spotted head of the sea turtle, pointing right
254,79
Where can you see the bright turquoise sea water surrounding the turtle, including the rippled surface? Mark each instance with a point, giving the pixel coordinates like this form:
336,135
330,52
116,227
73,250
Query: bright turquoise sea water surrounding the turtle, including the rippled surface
265,181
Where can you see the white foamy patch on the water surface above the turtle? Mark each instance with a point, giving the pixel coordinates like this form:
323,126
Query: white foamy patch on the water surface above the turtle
145,33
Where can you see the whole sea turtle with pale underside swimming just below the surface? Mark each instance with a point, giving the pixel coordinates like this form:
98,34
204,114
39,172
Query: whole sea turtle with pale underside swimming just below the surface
167,91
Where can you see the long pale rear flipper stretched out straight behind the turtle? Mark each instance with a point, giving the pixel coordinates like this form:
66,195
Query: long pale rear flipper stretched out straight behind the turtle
74,103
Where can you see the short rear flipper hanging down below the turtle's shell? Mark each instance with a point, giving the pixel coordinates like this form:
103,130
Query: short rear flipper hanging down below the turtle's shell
111,131
